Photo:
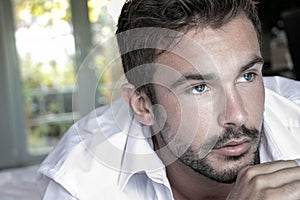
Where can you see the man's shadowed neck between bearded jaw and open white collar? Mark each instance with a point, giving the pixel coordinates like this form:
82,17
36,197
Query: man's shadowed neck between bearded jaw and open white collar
188,184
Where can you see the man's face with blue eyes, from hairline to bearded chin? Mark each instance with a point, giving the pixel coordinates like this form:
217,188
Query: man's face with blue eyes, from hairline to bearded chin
212,94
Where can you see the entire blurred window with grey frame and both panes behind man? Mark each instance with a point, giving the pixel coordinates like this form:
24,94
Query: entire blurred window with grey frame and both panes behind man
51,43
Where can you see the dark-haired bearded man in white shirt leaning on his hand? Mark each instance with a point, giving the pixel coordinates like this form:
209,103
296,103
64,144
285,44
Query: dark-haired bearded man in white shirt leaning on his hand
195,122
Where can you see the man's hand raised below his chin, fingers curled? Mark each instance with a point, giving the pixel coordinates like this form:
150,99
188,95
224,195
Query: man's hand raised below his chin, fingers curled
274,180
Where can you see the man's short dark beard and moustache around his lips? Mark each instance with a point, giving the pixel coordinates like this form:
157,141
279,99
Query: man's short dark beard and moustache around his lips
221,169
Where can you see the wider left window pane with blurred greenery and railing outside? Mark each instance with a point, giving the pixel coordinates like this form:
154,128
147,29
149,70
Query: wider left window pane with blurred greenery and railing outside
46,50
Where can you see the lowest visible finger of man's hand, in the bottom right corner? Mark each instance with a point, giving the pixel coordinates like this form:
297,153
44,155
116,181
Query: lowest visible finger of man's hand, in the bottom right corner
287,191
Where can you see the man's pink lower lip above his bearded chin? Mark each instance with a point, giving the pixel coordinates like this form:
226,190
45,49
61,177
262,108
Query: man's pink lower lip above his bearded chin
235,150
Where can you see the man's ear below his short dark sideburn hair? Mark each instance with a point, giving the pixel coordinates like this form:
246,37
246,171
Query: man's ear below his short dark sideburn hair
139,103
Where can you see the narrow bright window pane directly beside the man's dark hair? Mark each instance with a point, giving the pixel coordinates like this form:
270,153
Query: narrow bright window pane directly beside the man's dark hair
104,58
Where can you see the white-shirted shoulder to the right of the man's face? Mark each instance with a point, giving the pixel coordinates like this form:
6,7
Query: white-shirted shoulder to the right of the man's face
281,118
